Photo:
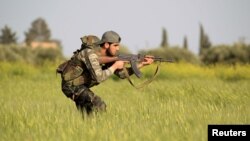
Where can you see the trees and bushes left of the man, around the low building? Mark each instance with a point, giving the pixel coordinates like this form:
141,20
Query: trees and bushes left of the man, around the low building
38,32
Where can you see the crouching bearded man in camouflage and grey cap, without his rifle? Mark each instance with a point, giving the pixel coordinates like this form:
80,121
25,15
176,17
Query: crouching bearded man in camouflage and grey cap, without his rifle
85,69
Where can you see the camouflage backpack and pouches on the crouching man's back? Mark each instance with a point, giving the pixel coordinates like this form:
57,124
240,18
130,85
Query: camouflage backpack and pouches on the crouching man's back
72,70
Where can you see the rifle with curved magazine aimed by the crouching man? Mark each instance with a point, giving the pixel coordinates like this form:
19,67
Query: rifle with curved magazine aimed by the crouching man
132,59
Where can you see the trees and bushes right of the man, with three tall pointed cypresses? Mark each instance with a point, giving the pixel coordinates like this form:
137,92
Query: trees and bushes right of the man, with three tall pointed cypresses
208,53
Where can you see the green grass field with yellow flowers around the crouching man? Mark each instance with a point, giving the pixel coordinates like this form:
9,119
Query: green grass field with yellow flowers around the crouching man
177,106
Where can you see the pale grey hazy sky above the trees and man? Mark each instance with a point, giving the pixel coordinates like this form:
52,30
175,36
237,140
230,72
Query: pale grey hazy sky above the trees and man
138,22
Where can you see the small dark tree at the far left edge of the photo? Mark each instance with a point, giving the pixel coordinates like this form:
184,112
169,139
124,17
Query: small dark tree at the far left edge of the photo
7,36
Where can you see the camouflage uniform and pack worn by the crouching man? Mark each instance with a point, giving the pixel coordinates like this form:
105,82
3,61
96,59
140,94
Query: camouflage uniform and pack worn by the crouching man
82,72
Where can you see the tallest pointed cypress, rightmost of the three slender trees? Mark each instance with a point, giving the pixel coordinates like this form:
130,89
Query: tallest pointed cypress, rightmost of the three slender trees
205,43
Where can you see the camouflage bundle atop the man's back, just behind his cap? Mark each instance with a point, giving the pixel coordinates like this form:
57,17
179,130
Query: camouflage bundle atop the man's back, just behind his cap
90,40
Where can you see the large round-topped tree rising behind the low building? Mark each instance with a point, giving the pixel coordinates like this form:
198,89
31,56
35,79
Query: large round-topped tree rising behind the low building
39,31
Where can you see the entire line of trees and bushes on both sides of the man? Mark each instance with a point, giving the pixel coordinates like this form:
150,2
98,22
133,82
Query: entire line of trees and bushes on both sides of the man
40,32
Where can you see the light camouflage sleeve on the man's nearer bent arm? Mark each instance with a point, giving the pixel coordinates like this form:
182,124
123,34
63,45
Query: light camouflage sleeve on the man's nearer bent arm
92,63
